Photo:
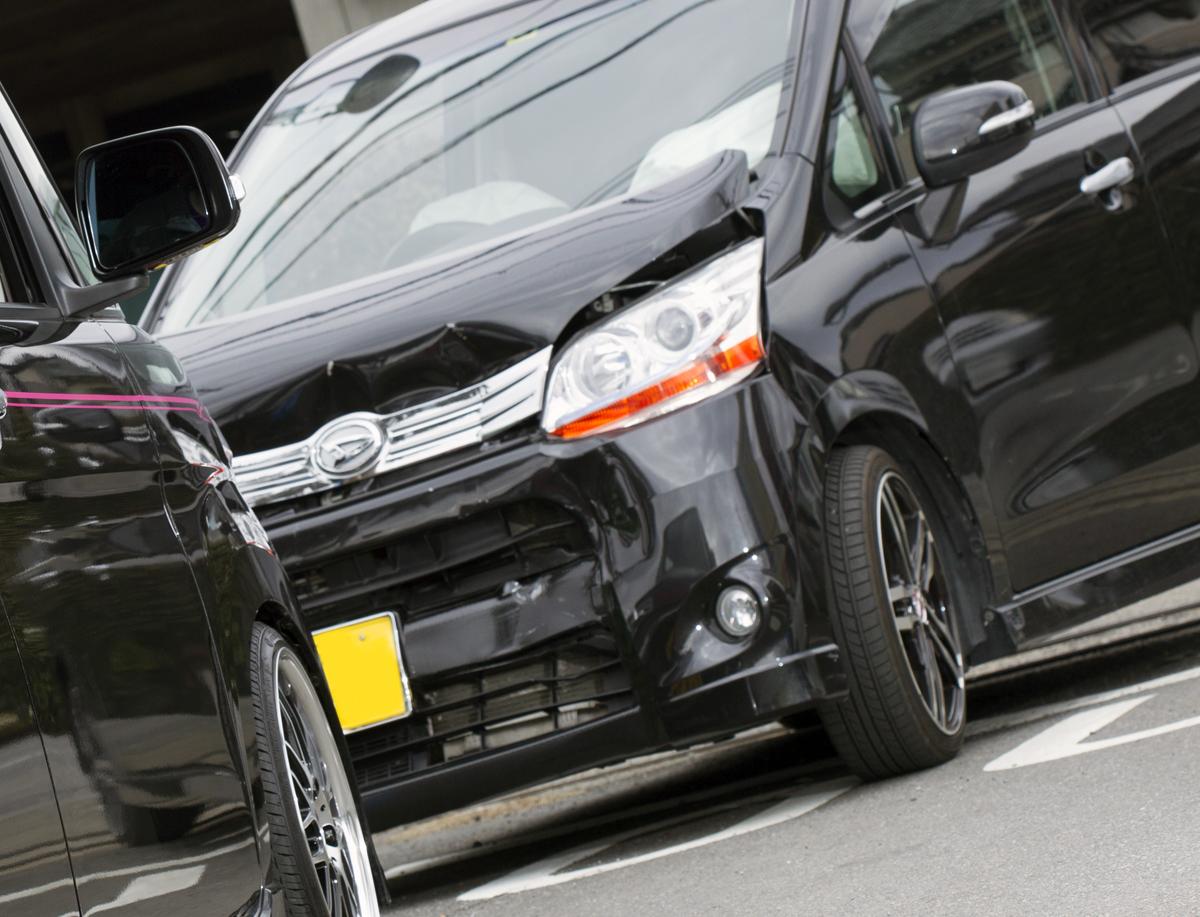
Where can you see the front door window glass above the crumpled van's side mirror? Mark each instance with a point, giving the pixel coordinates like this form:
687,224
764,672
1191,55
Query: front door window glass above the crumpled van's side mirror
917,50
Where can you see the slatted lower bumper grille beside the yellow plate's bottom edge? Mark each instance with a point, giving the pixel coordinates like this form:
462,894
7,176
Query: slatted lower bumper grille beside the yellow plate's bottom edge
495,706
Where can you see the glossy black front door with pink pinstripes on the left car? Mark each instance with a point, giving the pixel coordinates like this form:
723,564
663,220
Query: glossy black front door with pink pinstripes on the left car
107,615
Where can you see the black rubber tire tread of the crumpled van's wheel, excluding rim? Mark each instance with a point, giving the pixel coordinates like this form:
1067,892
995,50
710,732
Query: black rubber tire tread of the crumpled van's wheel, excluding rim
883,729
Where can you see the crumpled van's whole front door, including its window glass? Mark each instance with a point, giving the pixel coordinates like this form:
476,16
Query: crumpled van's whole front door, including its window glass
1064,310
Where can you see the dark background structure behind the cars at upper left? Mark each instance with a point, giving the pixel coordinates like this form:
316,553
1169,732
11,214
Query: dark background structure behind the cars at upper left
82,71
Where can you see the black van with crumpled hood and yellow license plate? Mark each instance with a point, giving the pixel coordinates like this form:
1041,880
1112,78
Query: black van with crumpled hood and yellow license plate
653,369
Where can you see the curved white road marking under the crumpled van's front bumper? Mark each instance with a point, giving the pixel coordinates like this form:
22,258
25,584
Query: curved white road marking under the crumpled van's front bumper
549,872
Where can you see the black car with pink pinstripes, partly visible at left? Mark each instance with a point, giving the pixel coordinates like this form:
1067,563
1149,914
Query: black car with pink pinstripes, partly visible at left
169,745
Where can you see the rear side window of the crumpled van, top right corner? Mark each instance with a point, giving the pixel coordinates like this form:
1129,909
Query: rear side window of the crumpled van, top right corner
1137,38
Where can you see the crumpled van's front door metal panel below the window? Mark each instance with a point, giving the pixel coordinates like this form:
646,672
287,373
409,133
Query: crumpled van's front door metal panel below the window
1067,326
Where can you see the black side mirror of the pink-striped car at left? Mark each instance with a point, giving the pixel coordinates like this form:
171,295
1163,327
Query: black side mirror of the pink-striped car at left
153,199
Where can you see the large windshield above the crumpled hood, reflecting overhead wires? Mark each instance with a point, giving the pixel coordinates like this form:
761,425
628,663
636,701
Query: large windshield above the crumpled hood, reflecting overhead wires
485,130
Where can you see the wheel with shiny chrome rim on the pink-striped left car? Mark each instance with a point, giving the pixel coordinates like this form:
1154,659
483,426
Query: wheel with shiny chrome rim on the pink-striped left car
319,841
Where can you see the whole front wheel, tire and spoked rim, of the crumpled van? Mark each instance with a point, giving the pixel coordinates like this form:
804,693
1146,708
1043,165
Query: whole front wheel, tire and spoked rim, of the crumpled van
897,630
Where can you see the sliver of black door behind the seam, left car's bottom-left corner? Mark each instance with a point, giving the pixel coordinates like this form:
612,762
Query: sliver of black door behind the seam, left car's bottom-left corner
35,871
